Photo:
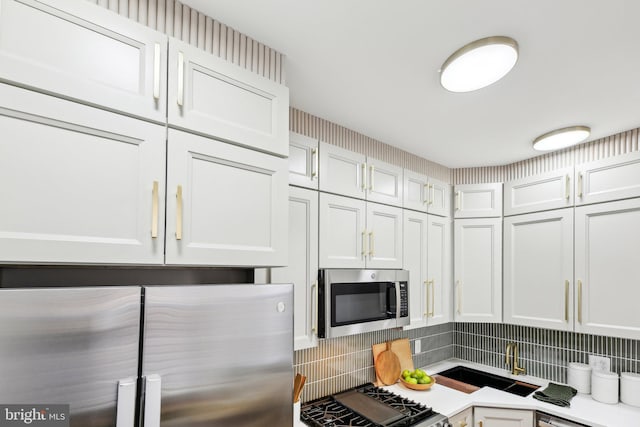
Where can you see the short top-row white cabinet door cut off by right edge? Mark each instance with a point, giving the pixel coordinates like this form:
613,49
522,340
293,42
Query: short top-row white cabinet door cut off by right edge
609,179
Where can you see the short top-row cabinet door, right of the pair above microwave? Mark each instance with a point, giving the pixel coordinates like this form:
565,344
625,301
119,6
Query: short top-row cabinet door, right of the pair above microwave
384,182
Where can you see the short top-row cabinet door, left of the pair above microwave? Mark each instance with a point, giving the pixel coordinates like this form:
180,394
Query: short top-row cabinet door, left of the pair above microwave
342,171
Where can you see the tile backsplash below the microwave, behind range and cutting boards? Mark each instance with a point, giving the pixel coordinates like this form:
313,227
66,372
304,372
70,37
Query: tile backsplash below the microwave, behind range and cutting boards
340,363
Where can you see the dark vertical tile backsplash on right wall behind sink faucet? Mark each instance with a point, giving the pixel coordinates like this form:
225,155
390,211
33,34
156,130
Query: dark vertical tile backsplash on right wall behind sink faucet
544,353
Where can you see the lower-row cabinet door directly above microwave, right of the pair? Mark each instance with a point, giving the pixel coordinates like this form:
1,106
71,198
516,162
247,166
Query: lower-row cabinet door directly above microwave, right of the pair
384,236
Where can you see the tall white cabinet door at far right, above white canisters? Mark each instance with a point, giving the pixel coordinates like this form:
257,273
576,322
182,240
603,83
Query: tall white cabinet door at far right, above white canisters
607,268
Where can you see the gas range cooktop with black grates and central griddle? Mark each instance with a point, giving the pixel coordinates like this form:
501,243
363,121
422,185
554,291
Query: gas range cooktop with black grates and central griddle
369,406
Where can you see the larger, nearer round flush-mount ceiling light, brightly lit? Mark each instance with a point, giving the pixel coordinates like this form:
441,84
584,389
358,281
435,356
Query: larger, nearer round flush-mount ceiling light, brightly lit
479,64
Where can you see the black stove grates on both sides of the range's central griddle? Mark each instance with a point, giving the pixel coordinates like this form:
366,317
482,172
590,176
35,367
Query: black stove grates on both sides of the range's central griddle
326,412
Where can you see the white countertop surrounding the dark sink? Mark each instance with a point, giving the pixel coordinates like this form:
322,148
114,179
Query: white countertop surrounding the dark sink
449,402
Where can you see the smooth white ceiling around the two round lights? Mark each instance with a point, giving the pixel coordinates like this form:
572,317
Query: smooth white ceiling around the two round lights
372,66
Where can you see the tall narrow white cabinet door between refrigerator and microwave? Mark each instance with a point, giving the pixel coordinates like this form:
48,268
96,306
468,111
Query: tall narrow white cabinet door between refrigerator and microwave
302,267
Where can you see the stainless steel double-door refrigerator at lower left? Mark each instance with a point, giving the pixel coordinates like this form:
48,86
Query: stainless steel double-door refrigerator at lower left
169,356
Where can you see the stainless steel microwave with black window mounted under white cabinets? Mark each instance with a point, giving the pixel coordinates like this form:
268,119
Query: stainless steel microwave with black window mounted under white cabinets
356,301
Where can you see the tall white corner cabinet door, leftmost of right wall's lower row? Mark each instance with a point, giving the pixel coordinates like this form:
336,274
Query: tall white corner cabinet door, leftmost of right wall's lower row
478,270
